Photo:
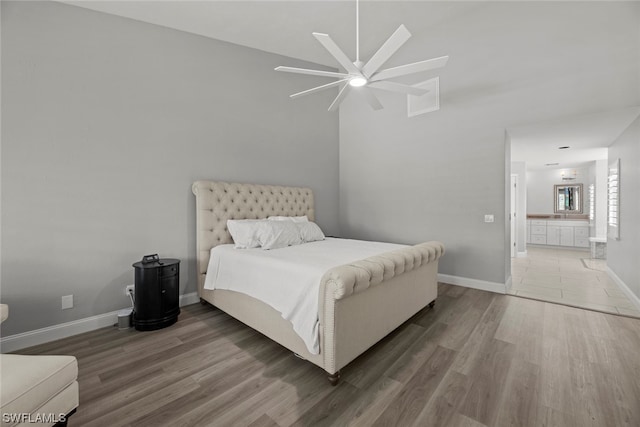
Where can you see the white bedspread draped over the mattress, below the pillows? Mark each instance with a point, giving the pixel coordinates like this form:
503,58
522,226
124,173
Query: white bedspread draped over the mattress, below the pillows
288,279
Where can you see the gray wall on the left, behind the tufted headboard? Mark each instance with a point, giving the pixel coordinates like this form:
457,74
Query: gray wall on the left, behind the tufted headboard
106,122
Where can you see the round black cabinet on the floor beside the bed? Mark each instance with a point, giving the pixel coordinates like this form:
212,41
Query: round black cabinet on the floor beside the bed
157,288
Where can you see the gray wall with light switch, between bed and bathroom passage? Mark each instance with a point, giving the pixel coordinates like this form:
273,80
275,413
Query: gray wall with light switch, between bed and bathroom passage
434,176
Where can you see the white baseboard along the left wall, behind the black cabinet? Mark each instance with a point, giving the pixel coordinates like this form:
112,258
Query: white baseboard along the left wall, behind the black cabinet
75,327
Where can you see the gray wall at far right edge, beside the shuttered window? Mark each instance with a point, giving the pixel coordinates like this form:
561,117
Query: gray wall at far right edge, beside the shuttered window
623,254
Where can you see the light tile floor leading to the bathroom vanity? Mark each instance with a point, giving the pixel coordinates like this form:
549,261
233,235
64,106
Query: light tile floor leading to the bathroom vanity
568,277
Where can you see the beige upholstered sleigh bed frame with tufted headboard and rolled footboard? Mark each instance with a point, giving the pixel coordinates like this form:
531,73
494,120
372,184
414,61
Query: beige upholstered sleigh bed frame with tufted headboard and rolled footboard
359,303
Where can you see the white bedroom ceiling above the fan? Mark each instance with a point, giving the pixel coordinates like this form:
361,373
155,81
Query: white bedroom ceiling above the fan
285,27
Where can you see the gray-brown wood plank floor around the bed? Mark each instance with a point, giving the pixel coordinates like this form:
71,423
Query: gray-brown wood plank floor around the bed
476,359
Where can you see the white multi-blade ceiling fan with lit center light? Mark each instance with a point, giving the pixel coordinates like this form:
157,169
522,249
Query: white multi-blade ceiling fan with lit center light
365,76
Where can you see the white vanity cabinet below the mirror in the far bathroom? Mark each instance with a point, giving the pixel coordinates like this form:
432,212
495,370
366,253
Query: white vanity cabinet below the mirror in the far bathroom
558,233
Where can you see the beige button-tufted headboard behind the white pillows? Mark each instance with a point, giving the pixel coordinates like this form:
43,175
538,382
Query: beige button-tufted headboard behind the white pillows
216,202
